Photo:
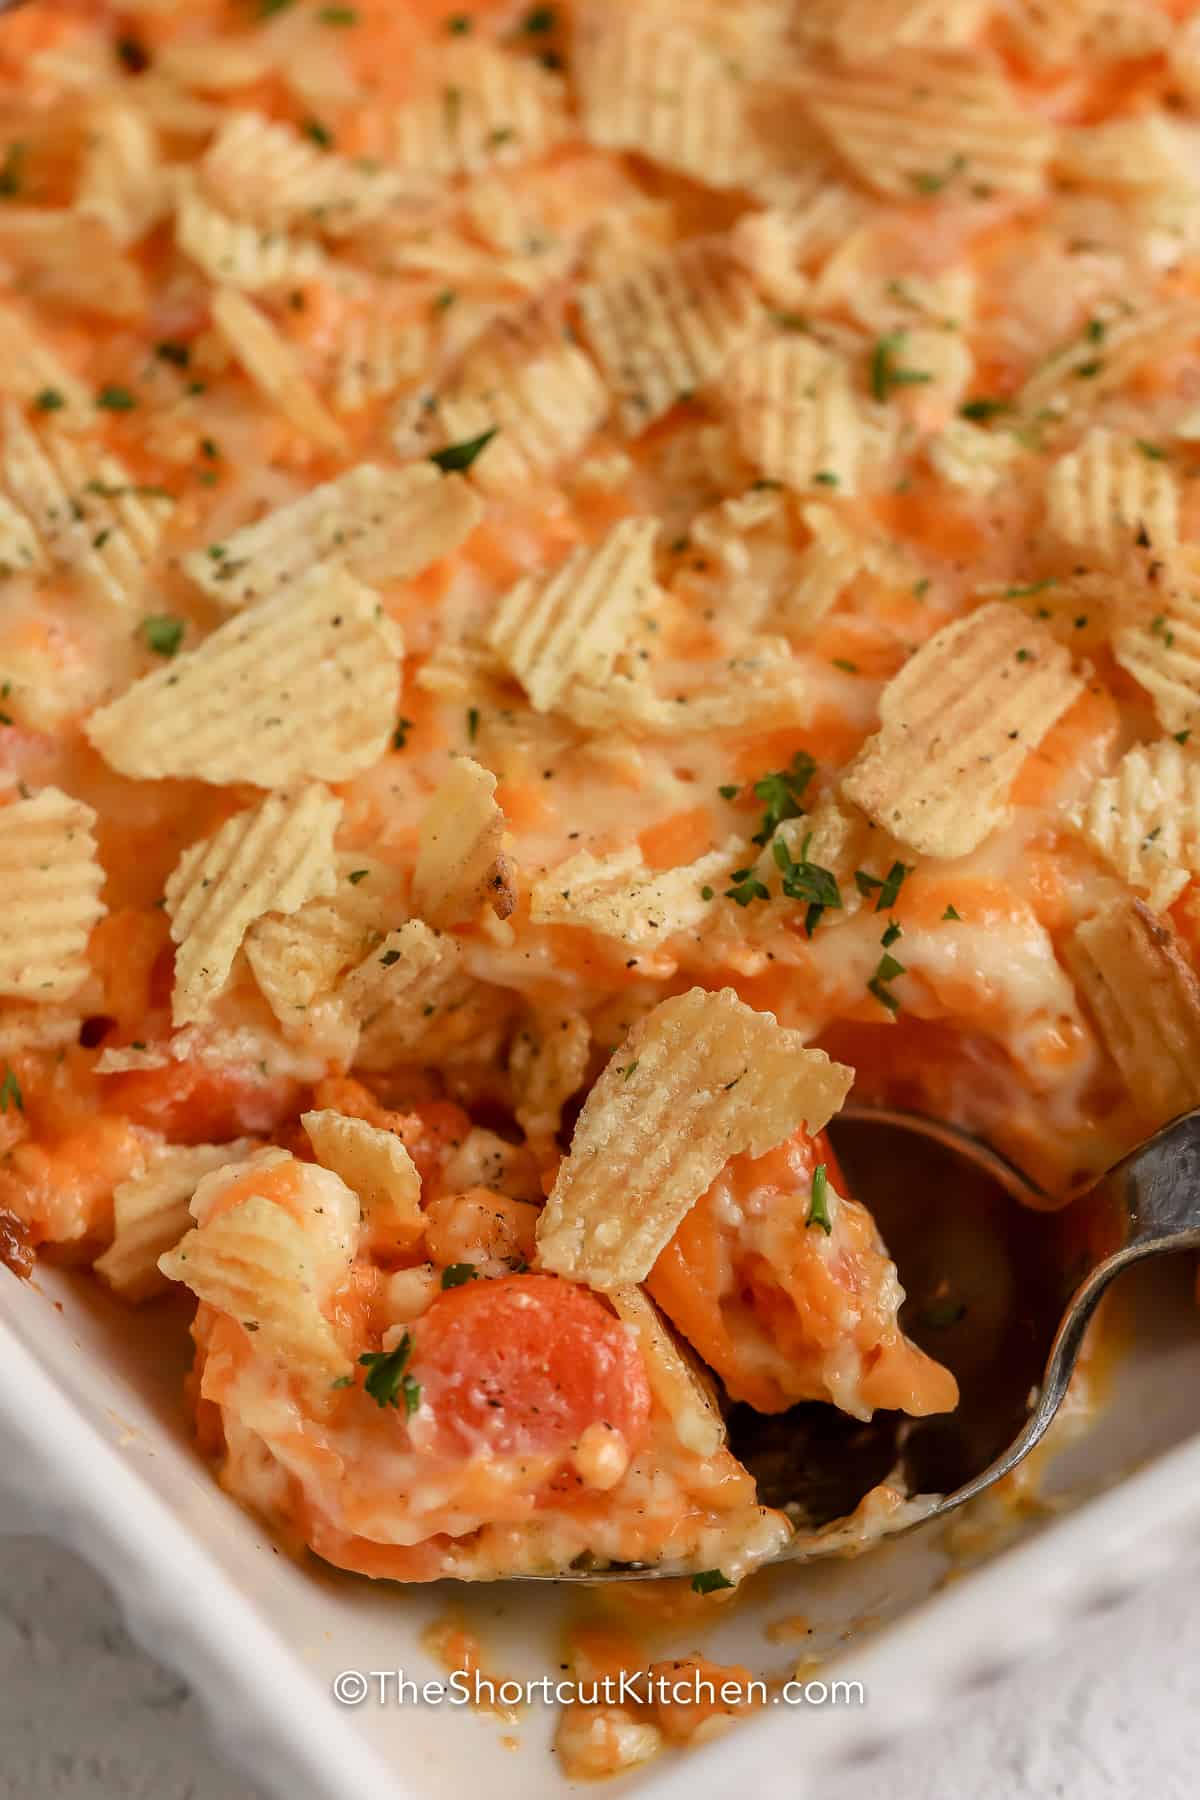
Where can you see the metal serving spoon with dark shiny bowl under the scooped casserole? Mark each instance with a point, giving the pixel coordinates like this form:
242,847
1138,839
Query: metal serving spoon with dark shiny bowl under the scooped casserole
999,1288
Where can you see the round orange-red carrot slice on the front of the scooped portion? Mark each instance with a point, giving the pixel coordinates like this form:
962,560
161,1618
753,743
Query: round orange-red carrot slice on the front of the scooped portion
524,1365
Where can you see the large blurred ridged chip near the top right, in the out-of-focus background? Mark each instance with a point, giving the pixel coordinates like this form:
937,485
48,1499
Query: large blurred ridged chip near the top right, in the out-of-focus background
917,123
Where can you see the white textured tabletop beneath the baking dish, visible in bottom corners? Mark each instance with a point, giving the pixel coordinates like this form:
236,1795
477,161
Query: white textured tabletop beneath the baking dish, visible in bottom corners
87,1716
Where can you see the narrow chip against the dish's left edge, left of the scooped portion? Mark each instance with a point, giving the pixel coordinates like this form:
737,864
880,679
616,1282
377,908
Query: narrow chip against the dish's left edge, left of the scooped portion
152,1214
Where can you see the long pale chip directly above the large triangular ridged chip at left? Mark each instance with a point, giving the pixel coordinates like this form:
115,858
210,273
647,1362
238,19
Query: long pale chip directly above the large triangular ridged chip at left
382,525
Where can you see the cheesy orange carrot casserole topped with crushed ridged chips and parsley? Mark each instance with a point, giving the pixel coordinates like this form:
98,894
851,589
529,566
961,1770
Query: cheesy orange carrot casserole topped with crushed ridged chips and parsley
577,580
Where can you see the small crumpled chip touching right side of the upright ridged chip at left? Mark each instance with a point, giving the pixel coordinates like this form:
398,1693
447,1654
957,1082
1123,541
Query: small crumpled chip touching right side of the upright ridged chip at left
300,957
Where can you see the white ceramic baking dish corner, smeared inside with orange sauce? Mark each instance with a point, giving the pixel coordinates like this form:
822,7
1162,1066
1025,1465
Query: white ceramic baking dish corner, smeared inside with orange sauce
96,1452
